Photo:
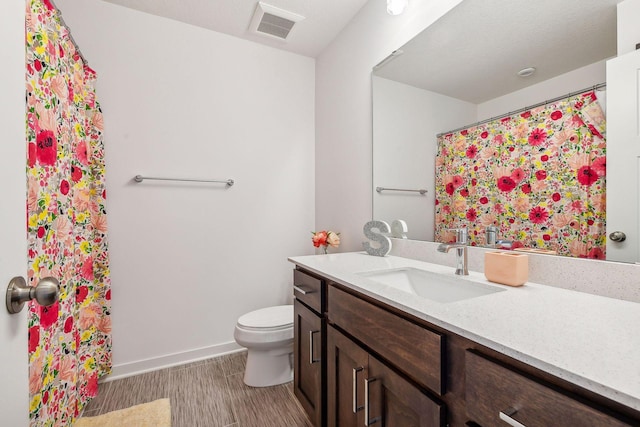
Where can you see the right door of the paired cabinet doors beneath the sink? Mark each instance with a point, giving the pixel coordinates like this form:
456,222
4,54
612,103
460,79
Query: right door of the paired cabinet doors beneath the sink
391,401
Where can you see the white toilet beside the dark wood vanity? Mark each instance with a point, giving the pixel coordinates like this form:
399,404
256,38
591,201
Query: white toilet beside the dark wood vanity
268,335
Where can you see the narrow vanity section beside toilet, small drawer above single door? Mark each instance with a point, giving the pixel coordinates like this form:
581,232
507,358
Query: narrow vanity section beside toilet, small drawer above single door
309,344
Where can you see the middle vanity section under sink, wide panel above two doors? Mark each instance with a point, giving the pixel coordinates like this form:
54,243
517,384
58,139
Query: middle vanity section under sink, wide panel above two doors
364,390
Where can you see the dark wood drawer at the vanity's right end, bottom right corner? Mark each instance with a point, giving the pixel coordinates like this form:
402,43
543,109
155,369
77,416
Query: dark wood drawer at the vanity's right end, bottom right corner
492,388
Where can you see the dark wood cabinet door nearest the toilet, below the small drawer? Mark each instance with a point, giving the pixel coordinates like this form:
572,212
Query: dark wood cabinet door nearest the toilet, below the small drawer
308,361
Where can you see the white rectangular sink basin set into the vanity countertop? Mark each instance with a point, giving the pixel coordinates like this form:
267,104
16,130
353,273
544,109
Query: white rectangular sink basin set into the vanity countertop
433,286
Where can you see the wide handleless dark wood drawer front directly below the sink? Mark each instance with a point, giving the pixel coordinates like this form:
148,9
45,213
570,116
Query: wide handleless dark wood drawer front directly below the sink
416,351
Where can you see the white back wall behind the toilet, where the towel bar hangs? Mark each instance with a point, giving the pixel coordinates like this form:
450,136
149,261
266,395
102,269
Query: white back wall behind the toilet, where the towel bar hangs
180,101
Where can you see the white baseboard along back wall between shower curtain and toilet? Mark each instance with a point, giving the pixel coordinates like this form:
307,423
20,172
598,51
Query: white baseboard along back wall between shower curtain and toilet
153,364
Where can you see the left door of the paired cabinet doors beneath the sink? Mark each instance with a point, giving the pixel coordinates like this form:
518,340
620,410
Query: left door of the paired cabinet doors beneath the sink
346,371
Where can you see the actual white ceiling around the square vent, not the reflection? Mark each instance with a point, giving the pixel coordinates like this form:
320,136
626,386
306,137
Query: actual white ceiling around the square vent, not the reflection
324,19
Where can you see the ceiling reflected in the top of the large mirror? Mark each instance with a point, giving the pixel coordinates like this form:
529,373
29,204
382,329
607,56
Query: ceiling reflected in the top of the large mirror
474,52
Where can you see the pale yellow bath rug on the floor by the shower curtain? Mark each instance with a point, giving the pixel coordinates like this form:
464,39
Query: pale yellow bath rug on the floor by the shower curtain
152,414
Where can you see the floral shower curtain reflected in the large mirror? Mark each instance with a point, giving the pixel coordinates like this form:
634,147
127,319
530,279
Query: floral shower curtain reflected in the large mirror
538,176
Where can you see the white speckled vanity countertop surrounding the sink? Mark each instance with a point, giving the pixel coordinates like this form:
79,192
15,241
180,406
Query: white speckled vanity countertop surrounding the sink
588,340
